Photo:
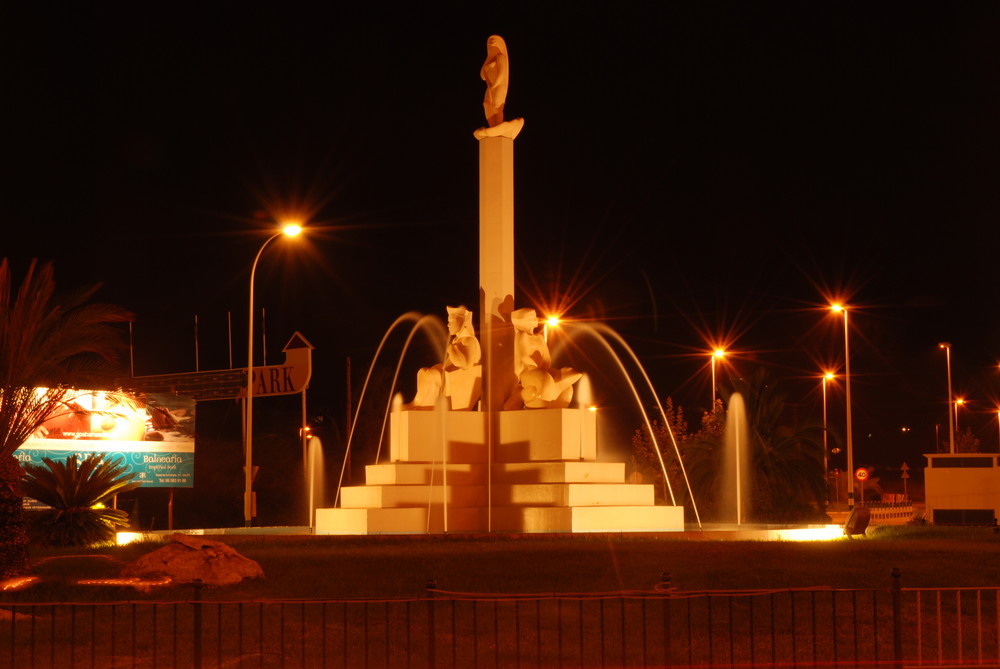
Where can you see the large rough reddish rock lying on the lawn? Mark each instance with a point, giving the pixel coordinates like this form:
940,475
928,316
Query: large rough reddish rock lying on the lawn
189,558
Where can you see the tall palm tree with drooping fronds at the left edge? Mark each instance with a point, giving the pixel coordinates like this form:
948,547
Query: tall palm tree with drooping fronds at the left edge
47,345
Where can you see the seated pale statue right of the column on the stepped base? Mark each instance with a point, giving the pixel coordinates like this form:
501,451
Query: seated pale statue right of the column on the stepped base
539,385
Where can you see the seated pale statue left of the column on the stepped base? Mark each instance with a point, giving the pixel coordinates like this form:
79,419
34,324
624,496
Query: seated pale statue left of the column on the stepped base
459,377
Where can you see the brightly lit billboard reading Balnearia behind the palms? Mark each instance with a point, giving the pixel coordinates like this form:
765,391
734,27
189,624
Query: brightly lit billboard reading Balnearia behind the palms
153,434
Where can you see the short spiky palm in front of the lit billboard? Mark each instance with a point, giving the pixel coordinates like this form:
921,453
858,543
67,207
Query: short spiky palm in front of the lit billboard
76,493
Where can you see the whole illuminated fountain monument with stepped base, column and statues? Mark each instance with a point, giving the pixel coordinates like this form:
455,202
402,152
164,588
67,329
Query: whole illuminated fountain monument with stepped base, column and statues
492,440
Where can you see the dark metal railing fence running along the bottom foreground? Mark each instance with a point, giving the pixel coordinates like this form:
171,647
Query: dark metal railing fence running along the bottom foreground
814,627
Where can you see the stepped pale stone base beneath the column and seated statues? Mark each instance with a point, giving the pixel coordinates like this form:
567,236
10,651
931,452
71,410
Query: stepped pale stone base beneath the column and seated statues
545,478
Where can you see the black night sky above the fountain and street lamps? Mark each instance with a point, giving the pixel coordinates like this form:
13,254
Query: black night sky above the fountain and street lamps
687,172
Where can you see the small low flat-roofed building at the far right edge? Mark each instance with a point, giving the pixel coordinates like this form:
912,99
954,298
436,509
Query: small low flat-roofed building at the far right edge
962,488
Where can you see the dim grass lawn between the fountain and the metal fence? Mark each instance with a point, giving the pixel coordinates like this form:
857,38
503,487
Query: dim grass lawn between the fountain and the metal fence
398,566
